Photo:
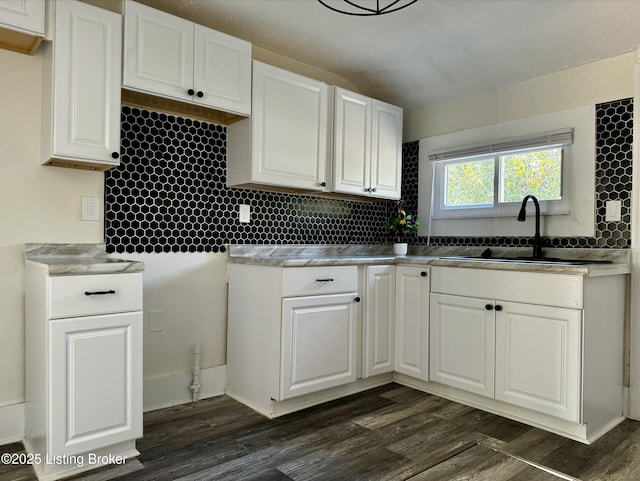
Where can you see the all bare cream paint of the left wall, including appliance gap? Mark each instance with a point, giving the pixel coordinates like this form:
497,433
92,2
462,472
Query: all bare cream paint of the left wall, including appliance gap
185,292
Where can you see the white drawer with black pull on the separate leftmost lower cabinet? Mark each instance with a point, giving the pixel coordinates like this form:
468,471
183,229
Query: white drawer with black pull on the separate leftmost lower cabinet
94,294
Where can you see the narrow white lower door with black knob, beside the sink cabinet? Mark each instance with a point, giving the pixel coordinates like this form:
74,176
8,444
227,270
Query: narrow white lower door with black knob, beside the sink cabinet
412,322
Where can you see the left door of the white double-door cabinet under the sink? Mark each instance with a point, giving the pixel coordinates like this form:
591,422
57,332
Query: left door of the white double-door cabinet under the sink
462,337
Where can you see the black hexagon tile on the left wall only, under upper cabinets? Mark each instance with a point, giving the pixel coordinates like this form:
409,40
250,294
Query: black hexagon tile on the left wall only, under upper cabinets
169,194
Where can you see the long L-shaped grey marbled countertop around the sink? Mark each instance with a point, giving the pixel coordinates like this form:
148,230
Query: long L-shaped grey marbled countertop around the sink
314,255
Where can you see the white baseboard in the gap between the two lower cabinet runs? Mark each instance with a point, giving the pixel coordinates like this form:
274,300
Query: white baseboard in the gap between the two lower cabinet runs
173,389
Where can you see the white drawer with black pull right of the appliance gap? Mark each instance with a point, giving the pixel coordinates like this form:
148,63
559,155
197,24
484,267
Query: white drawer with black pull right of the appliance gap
310,281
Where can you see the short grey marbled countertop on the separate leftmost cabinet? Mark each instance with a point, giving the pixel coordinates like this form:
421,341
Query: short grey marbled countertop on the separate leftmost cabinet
78,259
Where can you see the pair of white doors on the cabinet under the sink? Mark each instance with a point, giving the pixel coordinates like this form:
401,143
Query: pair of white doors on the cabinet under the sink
523,354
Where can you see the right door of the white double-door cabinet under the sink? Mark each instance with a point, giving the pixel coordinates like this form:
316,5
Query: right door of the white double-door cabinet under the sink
538,358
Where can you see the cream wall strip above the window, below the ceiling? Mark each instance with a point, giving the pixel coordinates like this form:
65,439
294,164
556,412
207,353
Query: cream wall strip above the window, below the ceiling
609,79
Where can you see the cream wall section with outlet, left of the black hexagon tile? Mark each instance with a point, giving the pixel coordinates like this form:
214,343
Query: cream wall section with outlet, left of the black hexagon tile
37,204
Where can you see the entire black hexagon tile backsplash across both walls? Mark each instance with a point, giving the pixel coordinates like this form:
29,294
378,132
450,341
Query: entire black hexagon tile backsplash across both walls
169,194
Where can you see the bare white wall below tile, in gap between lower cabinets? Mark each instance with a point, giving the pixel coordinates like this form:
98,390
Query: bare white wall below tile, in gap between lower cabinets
185,303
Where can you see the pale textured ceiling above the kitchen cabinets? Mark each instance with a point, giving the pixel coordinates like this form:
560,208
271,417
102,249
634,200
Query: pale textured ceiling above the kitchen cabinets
432,50
